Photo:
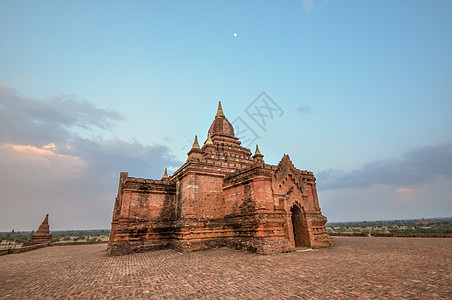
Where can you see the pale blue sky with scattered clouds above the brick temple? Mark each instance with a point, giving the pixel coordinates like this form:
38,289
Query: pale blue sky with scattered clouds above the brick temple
92,88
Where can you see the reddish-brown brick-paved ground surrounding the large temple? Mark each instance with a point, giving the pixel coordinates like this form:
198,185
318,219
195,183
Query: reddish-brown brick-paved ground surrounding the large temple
356,268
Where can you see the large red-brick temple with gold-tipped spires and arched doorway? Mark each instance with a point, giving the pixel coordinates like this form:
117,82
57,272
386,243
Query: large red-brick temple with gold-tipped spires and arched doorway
222,196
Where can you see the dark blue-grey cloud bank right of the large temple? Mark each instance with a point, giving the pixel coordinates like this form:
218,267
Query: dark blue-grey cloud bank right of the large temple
423,165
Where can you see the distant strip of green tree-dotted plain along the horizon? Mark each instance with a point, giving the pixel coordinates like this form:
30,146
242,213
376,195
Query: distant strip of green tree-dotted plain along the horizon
365,228
